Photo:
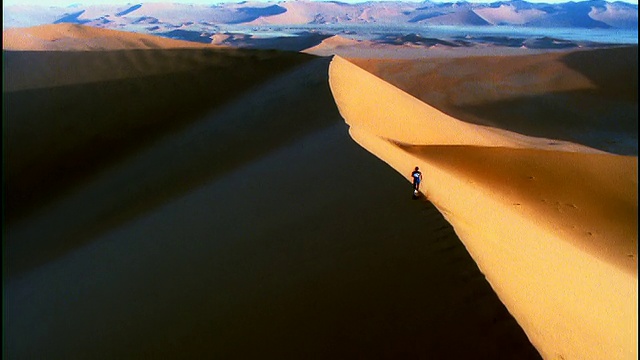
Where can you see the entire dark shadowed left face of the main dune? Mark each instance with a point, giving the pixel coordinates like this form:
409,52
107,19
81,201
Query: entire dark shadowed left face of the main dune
211,204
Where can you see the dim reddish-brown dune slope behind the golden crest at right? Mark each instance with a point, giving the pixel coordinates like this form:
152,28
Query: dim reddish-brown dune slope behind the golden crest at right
556,95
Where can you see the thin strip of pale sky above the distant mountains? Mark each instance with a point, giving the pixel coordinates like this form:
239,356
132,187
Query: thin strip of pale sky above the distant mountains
210,2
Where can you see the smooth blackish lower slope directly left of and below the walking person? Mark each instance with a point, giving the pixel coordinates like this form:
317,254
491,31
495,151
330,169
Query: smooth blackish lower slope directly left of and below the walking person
290,253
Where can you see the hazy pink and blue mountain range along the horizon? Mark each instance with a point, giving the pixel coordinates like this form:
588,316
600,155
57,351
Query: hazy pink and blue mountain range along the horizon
162,17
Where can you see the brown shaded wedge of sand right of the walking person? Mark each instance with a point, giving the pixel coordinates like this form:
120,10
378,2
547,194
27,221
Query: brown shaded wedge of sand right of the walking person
584,192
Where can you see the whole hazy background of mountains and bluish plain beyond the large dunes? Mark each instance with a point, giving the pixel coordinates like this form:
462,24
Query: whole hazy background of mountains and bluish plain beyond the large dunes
292,25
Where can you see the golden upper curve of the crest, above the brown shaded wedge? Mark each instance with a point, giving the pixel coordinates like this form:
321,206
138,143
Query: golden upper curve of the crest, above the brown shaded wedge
384,110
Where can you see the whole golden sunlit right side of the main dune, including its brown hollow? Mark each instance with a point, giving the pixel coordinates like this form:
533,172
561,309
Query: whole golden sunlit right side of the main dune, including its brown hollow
551,224
